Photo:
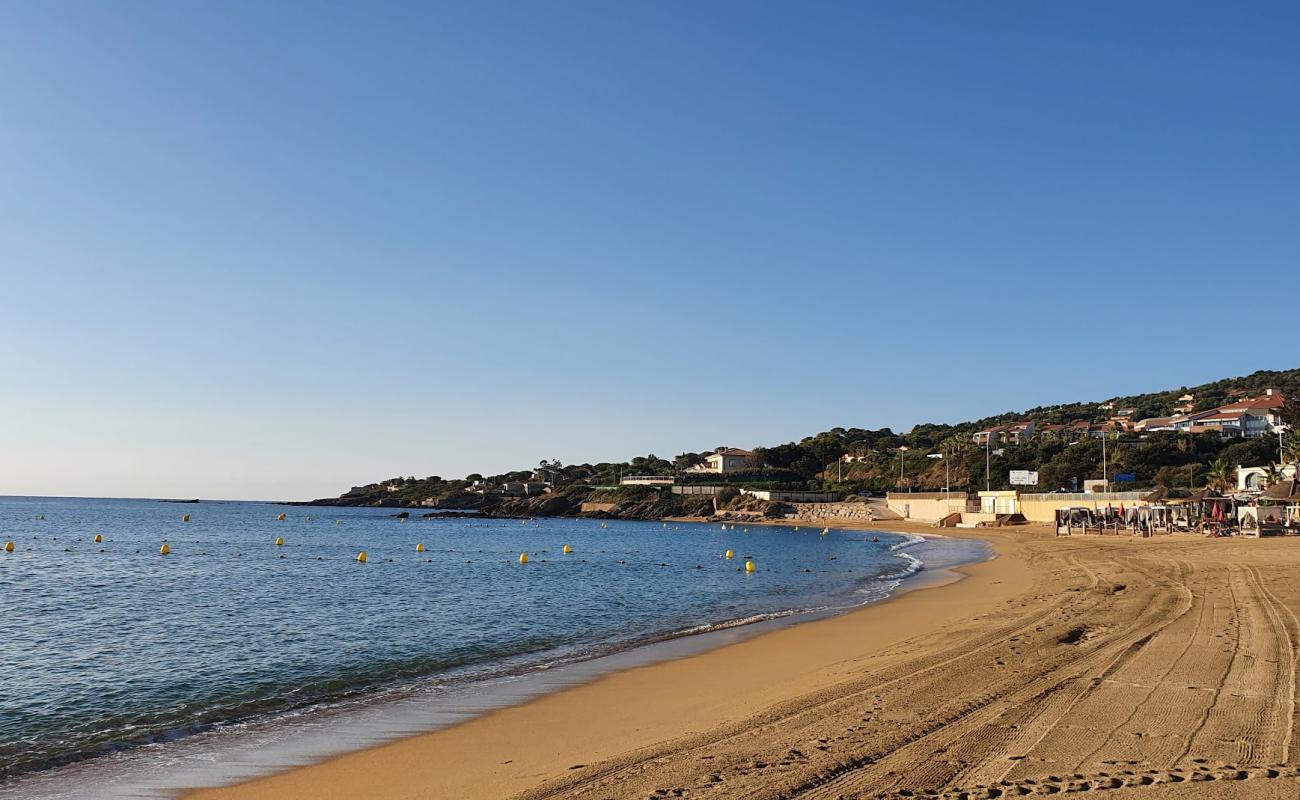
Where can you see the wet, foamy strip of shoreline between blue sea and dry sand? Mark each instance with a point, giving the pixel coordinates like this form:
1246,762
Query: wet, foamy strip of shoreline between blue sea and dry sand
262,747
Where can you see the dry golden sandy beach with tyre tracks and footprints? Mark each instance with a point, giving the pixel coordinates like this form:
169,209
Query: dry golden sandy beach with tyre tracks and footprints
1147,669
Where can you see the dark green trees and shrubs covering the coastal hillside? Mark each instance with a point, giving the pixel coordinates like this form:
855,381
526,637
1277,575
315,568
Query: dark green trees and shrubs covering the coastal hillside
882,461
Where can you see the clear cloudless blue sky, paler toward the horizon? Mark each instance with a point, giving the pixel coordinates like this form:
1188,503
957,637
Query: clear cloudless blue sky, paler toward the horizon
275,250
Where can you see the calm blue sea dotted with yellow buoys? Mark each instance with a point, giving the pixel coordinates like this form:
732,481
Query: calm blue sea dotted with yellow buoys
112,646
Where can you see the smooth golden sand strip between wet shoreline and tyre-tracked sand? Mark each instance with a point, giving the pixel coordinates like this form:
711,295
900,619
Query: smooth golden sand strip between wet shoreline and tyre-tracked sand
475,740
